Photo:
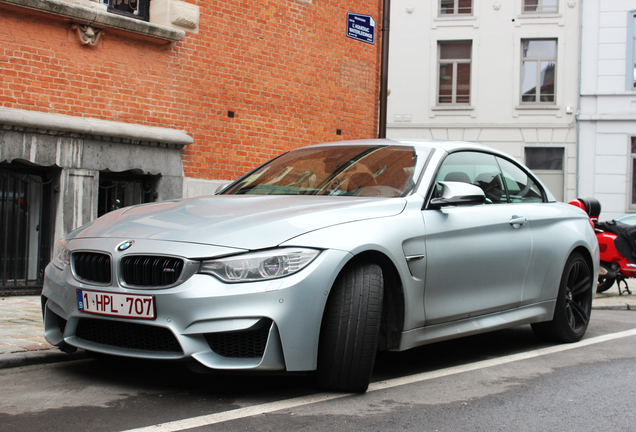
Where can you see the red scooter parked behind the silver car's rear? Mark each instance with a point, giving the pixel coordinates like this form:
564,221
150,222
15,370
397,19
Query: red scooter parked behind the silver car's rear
615,245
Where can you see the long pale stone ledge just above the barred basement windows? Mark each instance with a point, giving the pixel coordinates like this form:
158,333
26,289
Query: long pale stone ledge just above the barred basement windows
59,124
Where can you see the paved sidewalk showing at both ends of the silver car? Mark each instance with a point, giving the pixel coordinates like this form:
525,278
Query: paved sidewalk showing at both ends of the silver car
22,332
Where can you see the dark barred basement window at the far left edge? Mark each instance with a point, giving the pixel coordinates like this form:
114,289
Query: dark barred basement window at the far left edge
25,196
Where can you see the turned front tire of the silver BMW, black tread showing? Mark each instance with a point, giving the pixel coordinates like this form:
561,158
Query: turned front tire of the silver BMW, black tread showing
350,329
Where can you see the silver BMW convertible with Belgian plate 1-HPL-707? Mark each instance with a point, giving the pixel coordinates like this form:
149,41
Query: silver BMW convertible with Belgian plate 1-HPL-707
321,257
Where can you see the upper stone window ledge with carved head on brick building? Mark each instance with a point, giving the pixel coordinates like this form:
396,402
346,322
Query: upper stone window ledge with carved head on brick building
99,18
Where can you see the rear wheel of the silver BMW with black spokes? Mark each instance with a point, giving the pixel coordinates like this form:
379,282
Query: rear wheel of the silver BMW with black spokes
573,306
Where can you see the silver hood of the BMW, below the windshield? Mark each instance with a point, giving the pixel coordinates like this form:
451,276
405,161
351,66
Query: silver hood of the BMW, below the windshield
237,221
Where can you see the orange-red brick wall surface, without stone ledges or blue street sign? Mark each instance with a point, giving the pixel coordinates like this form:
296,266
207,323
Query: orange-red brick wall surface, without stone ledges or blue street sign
284,68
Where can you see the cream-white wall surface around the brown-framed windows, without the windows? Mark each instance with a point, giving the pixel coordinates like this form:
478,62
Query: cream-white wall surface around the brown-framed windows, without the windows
495,116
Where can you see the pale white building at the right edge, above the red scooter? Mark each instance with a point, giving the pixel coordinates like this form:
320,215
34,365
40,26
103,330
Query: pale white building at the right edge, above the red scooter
607,118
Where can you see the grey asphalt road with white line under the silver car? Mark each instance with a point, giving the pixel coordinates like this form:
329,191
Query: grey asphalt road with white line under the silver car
502,381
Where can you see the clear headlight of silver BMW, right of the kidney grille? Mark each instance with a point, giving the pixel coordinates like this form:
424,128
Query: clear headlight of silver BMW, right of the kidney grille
257,266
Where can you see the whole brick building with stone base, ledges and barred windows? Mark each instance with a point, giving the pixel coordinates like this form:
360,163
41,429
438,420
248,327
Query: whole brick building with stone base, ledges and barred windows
104,104
